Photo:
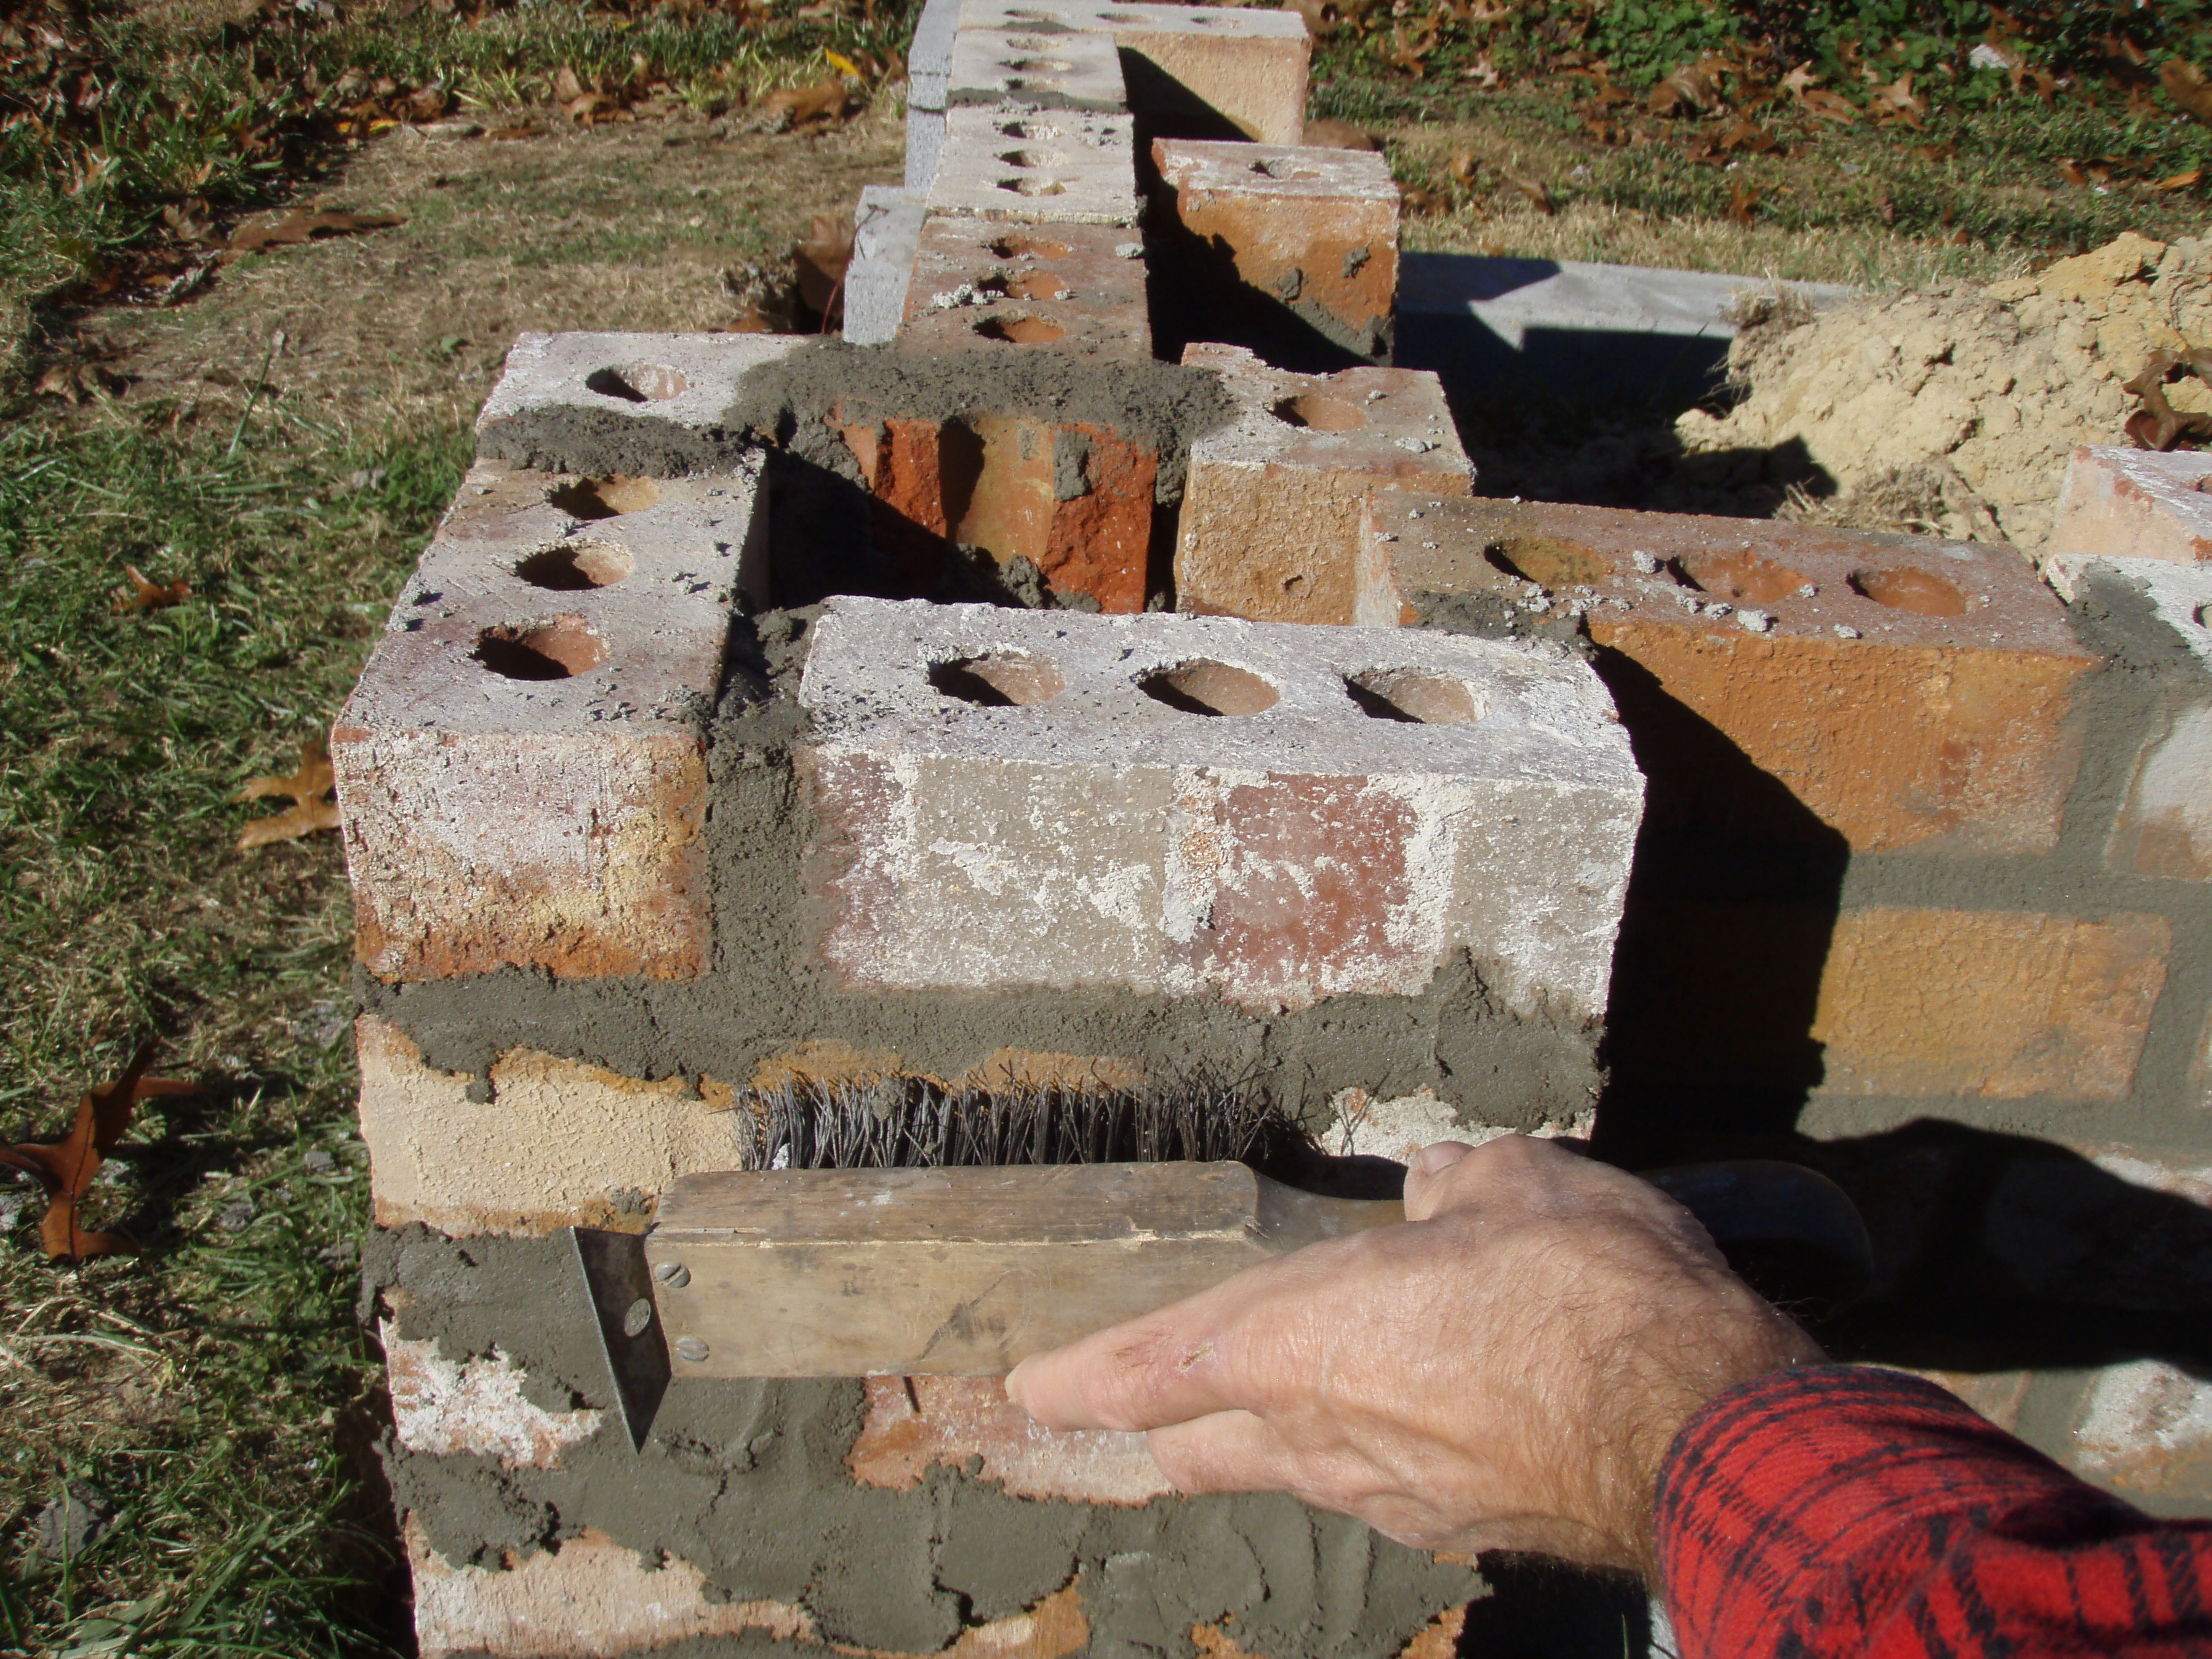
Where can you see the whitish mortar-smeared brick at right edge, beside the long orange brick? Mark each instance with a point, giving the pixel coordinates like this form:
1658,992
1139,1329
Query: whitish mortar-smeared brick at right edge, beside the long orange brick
2164,824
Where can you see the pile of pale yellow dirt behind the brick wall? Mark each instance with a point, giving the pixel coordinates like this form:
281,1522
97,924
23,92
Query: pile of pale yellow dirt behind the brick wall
1954,410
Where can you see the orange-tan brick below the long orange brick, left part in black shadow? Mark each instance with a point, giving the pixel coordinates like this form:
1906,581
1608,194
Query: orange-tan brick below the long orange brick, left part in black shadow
1899,1003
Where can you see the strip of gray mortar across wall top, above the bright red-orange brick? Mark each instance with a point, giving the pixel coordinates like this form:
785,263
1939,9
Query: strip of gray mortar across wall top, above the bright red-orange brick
1158,406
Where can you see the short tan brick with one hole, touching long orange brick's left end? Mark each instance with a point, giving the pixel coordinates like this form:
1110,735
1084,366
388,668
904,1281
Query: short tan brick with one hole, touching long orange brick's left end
1271,519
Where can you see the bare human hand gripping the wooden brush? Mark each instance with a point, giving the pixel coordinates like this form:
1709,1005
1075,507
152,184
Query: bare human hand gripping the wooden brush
1501,1373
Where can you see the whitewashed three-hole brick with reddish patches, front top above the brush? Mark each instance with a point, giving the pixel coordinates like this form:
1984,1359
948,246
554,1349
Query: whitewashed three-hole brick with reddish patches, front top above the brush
1200,806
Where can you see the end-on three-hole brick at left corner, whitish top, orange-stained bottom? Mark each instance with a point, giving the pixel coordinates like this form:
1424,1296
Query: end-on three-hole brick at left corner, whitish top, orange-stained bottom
523,764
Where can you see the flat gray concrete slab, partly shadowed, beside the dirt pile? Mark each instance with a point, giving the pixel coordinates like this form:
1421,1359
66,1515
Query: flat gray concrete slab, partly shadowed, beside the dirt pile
1569,331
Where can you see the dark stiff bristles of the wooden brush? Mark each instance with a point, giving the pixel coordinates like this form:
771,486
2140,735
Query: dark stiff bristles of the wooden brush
910,1123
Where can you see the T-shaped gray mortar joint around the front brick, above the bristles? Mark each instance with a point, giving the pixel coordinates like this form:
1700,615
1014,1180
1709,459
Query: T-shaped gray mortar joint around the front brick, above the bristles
769,990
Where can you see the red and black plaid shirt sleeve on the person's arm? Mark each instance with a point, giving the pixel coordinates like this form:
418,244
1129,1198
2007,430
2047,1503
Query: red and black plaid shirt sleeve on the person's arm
1853,1514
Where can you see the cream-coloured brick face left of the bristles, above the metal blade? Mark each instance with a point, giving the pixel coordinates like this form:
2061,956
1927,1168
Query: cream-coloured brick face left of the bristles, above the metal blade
559,1142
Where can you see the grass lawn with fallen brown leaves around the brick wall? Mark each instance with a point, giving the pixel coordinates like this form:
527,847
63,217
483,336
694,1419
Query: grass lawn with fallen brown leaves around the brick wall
187,1434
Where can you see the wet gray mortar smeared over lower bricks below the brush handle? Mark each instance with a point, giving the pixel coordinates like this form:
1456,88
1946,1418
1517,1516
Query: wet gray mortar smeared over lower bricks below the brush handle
749,1483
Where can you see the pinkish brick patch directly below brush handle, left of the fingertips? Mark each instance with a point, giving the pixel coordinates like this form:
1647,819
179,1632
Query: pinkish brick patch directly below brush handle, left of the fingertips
928,1423
